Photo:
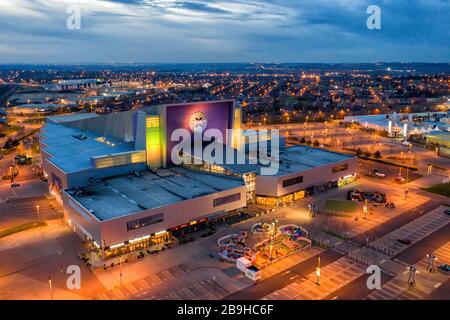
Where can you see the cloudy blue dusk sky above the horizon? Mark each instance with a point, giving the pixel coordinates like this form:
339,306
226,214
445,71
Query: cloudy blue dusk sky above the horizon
34,31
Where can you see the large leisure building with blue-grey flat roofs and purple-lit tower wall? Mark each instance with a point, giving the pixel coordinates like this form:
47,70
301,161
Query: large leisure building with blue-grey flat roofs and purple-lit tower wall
120,188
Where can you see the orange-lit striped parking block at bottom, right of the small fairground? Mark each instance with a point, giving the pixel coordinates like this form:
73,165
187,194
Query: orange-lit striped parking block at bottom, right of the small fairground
333,277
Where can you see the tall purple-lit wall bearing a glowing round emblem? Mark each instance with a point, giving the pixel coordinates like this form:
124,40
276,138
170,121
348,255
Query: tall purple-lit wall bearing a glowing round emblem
218,114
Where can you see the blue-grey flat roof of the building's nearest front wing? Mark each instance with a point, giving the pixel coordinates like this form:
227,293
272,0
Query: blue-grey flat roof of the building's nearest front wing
124,195
